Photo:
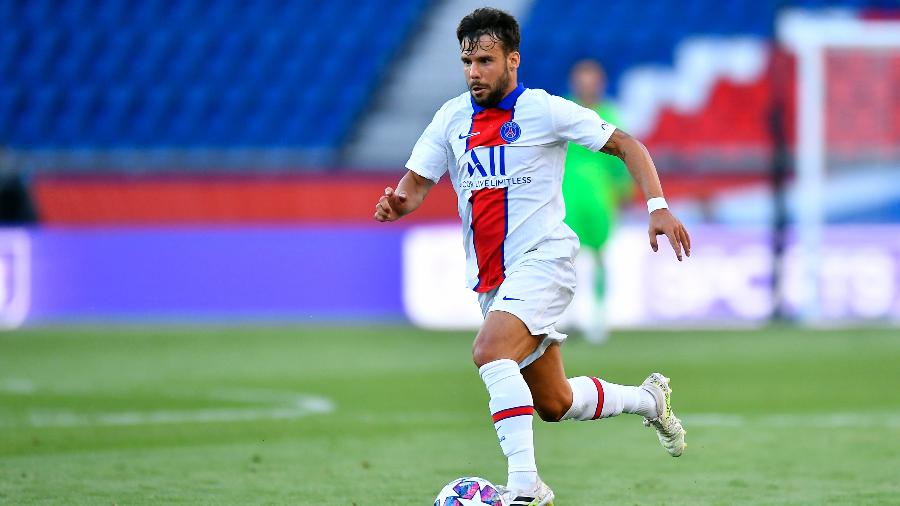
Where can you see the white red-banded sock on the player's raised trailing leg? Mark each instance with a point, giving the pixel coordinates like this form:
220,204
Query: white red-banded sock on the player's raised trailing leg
594,398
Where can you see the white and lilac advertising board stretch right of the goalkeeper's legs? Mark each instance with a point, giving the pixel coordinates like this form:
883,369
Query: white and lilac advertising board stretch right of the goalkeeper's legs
729,277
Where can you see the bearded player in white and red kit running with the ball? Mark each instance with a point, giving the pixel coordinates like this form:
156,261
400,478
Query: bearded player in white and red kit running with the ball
505,146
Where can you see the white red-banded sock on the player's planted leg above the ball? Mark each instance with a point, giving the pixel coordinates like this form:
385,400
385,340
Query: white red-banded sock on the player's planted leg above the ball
512,410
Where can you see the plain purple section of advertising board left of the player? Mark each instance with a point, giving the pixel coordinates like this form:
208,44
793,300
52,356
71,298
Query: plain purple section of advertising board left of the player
309,273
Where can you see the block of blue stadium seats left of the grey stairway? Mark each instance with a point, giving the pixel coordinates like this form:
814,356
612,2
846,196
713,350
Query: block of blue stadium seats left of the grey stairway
162,74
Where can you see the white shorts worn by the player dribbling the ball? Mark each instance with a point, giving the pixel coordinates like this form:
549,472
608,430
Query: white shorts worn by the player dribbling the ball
537,291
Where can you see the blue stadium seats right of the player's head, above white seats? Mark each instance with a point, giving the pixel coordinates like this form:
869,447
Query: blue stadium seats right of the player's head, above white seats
555,38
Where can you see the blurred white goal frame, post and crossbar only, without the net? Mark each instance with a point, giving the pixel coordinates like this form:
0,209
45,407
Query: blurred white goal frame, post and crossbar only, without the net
808,36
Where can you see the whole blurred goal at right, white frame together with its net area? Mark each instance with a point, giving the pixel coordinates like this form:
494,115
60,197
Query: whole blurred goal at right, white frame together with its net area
847,160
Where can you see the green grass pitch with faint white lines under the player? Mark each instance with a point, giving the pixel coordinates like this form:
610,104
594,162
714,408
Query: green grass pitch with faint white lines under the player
388,415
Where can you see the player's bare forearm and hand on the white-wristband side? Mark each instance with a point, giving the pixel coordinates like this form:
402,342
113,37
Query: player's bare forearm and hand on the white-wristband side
636,157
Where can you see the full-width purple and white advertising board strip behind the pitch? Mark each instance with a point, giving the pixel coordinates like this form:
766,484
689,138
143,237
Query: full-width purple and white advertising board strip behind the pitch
391,274
